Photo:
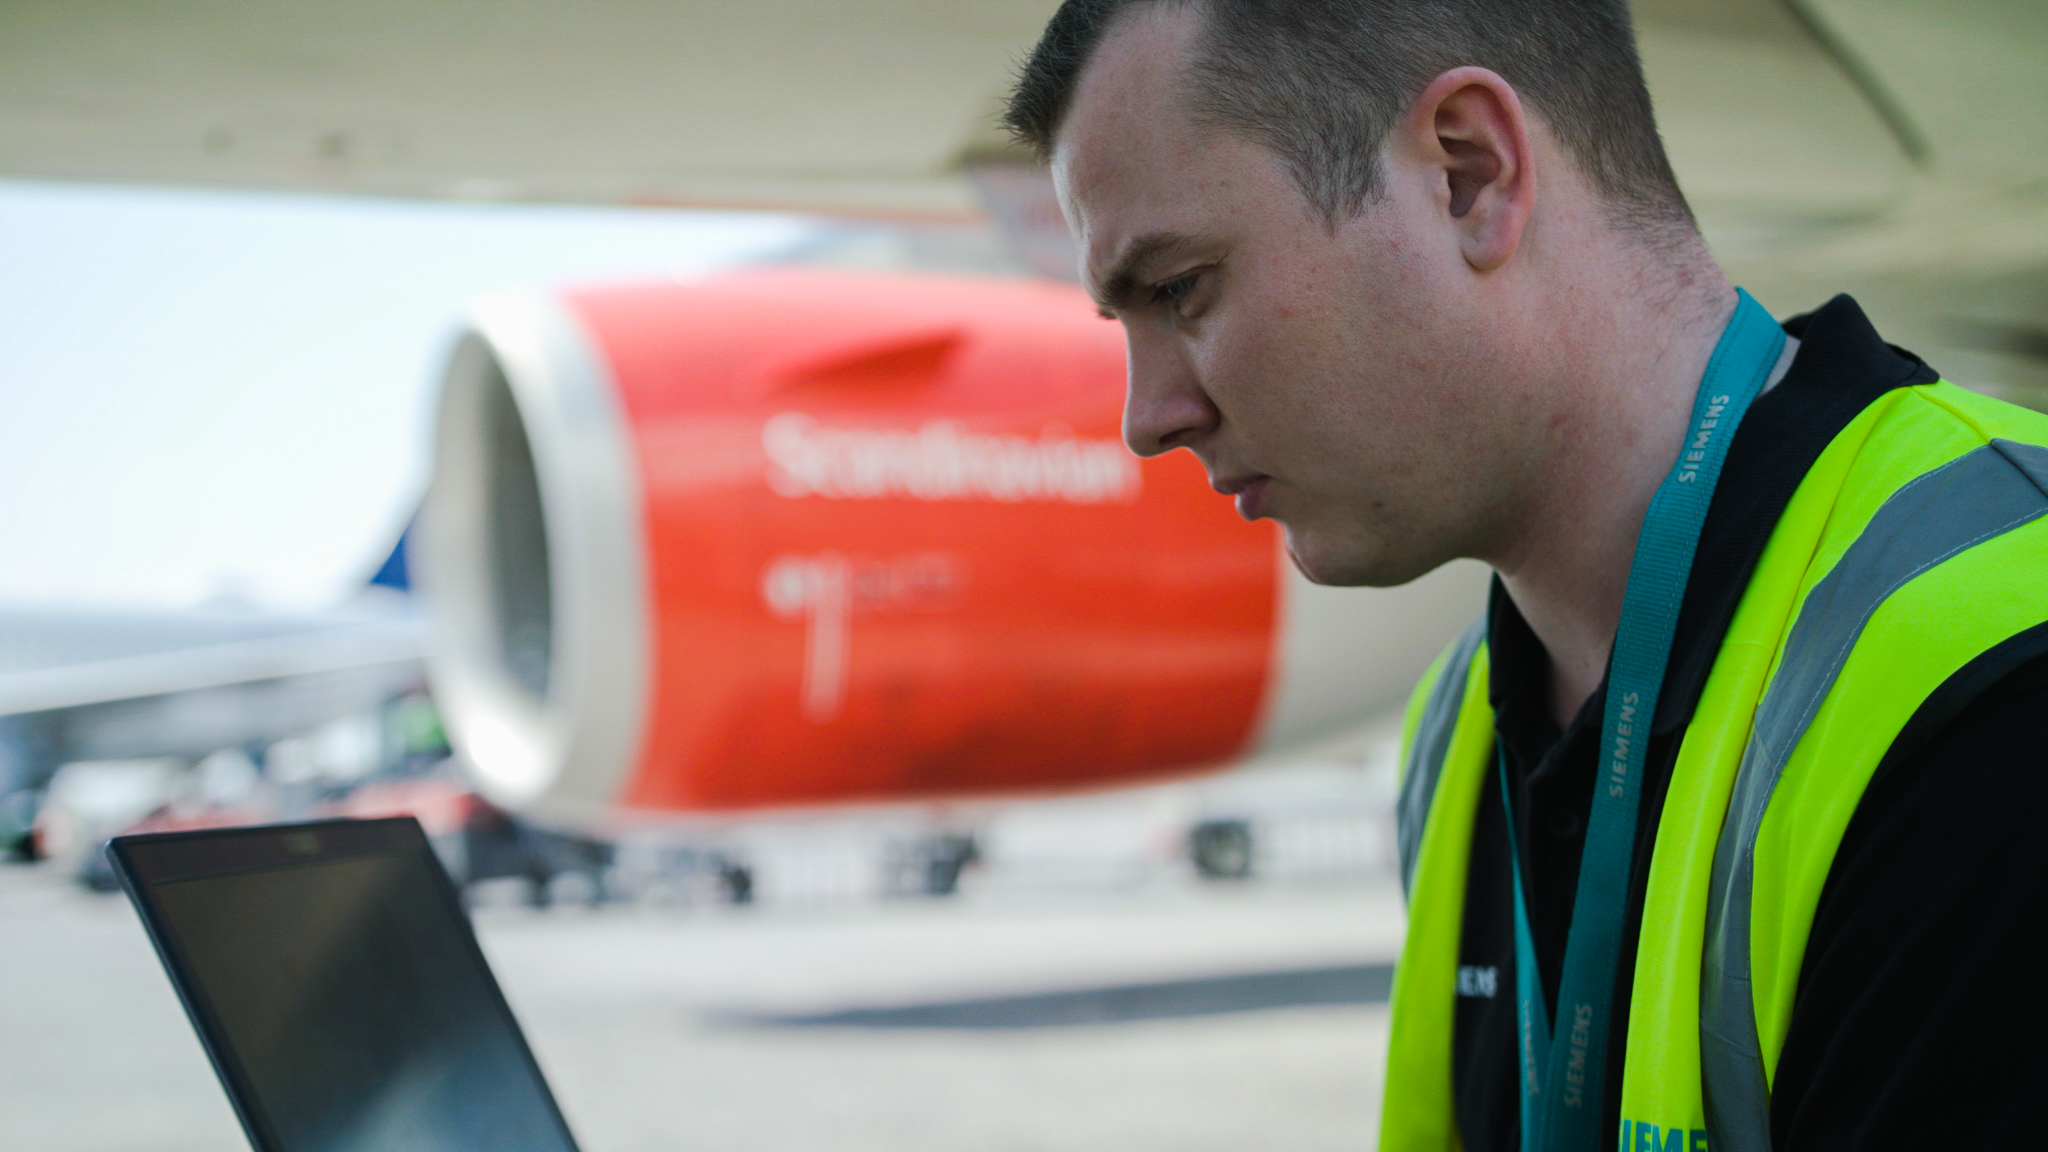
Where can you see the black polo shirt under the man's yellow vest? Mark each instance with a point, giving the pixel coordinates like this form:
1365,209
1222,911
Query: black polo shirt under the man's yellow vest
1922,1014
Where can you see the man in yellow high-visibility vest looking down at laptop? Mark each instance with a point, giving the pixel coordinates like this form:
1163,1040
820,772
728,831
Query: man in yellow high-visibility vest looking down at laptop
1748,762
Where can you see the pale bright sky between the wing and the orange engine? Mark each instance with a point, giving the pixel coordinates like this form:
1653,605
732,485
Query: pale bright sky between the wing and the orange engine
226,397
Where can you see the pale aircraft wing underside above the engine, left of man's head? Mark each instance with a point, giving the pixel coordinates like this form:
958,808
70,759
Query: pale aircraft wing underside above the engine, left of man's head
857,106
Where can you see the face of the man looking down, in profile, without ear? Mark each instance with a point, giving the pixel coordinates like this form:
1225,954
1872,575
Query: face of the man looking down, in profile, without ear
1322,376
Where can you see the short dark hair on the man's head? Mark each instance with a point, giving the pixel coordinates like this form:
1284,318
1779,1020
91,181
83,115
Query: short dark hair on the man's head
1322,83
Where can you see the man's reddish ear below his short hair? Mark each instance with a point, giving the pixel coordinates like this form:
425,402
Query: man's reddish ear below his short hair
1474,138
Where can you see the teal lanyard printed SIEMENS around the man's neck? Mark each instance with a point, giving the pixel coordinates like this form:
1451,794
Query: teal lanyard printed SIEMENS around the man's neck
1564,1079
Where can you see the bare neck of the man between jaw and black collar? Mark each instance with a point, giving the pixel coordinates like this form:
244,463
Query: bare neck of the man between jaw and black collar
1623,409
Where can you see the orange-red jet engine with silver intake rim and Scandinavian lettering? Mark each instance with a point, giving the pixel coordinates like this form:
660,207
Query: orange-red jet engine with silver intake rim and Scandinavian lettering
812,538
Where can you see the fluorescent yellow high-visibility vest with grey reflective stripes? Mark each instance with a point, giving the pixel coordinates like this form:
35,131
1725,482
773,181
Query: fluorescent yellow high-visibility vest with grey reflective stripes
1916,544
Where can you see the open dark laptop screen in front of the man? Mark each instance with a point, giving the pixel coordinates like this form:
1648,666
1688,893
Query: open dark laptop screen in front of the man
339,989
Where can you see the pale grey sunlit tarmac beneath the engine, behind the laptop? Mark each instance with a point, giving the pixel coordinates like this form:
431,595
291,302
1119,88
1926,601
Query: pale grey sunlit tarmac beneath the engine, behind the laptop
1156,1016
